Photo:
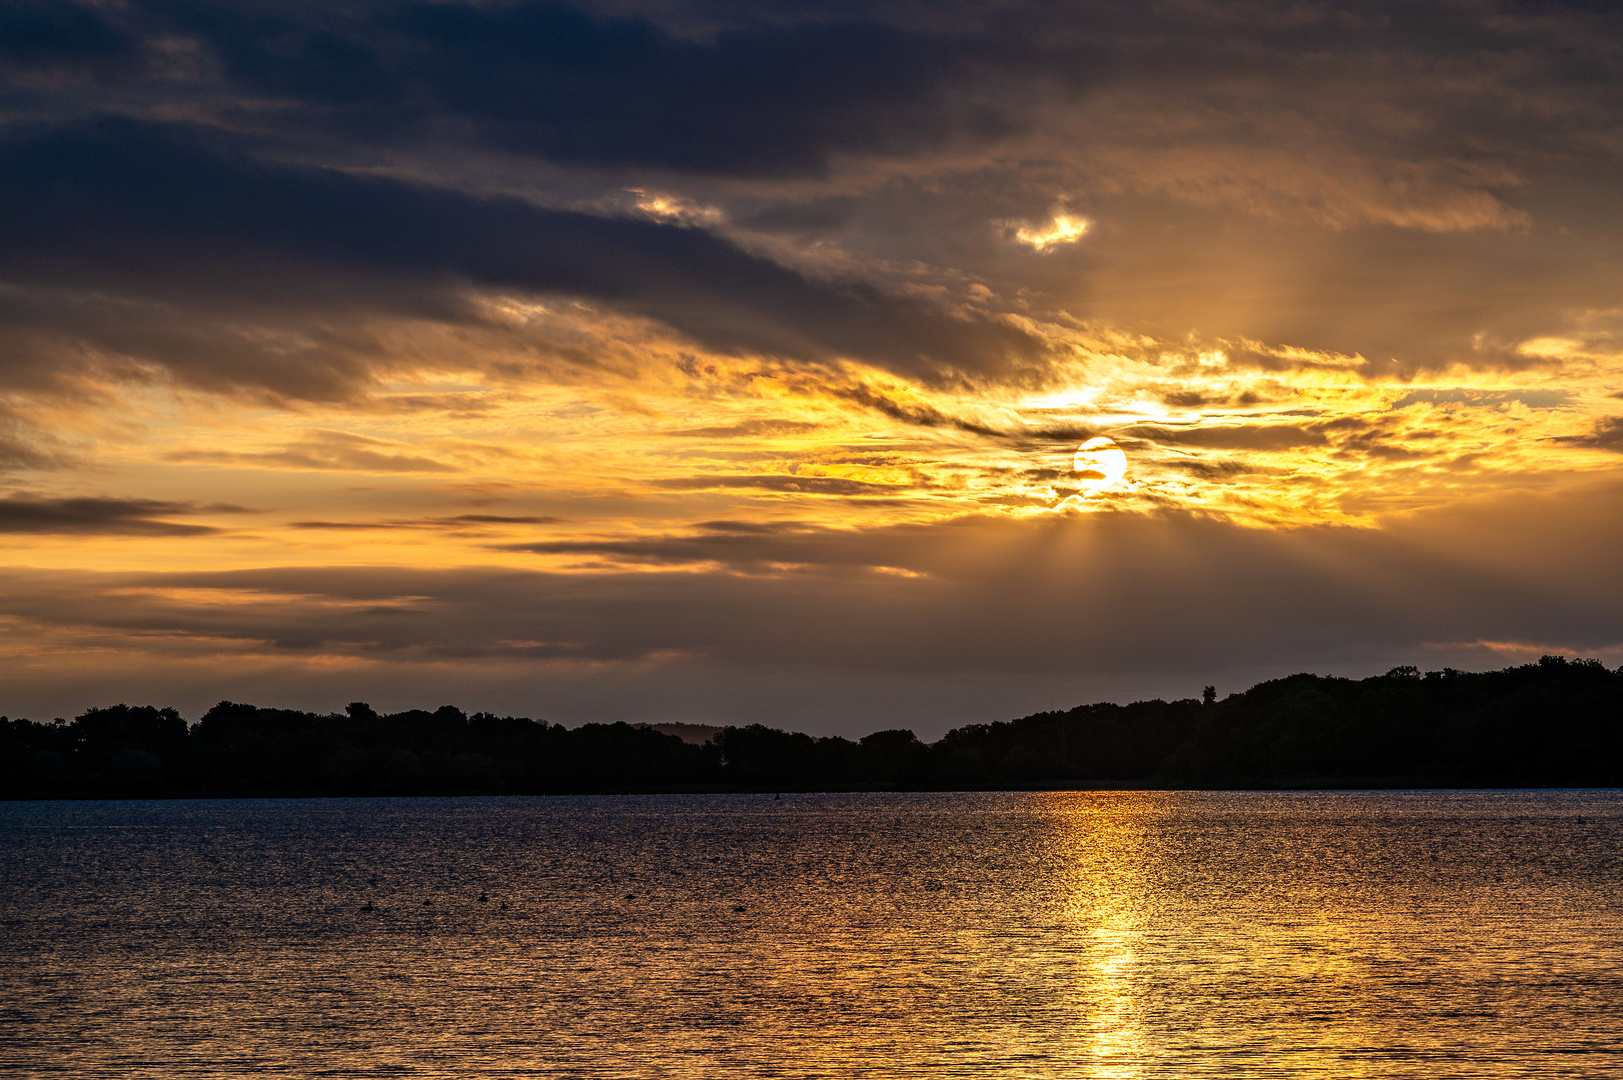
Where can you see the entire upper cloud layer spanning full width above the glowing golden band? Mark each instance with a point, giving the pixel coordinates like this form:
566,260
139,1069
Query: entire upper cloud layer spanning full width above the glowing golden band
1137,116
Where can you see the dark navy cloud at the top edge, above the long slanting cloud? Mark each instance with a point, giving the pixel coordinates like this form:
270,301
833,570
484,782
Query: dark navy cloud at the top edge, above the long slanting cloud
561,84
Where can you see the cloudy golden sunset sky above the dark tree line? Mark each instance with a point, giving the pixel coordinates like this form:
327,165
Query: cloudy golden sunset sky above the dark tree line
730,363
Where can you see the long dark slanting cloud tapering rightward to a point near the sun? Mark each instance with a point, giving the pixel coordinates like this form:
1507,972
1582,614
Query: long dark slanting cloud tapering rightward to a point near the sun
160,214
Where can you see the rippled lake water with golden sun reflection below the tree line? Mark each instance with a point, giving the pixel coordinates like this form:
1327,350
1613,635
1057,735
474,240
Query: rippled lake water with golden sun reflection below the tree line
1074,935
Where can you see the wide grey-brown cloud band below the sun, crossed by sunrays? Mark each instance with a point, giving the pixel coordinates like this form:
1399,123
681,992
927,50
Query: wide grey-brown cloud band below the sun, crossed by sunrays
1083,590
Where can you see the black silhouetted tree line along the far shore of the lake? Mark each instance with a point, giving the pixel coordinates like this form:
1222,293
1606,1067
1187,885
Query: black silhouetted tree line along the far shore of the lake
1552,724
